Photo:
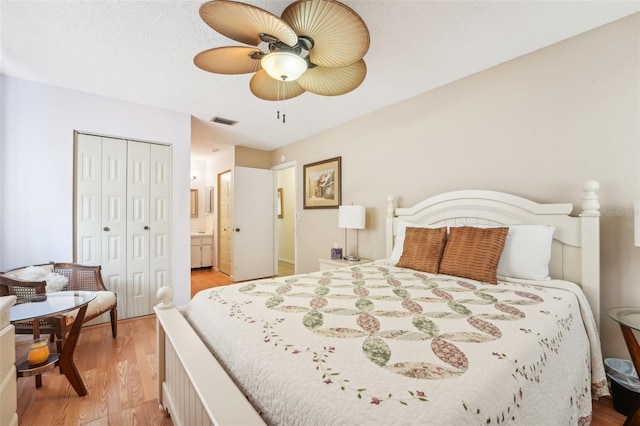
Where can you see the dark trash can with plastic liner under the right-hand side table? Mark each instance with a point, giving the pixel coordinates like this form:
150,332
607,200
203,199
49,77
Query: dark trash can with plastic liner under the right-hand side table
625,386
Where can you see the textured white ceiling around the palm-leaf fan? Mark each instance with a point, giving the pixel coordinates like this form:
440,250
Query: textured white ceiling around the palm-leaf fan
142,51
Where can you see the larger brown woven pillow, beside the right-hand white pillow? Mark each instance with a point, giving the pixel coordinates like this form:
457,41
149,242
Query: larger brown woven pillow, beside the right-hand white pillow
473,252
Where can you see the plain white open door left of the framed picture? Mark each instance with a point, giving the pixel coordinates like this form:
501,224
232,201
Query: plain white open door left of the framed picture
253,215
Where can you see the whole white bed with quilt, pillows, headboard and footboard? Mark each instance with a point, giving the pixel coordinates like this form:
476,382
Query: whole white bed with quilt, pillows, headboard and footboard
392,341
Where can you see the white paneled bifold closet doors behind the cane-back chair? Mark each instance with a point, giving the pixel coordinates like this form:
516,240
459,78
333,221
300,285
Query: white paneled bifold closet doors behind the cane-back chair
122,216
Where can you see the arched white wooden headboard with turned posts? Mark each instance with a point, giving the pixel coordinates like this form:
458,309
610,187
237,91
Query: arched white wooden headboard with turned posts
575,253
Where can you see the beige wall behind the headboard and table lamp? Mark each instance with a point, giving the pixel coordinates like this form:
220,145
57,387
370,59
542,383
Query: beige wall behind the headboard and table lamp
538,126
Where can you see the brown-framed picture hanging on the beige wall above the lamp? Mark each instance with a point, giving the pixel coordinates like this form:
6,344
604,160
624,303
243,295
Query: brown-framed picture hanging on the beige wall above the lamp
322,184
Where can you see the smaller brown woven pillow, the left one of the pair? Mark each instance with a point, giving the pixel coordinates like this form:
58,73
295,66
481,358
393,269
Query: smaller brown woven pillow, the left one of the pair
422,249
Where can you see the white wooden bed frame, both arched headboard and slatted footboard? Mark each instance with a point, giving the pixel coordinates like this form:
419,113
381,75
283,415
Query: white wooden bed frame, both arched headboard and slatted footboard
195,390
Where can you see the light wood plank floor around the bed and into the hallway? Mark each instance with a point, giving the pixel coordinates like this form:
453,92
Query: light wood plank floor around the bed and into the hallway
120,375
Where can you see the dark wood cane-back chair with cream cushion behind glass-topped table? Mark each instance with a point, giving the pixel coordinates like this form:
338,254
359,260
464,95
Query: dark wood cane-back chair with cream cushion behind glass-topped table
81,277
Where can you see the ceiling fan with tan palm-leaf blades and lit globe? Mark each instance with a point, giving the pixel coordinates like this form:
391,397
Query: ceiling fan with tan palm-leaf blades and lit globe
316,46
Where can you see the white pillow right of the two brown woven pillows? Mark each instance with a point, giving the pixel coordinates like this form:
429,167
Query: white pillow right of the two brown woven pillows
526,253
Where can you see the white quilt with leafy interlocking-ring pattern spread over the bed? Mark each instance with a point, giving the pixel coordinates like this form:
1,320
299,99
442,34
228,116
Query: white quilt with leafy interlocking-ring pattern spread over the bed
379,345
